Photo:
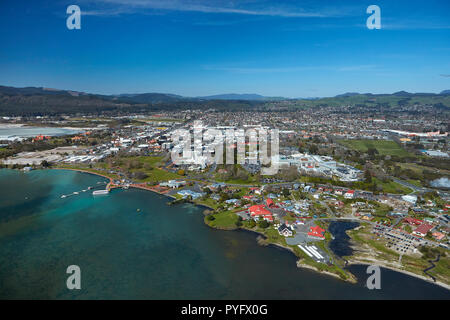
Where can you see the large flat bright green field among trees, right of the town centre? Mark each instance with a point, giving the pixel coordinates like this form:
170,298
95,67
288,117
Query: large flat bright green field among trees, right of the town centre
384,147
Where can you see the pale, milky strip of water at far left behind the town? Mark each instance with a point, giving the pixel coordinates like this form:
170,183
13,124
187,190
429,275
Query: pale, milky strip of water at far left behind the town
13,133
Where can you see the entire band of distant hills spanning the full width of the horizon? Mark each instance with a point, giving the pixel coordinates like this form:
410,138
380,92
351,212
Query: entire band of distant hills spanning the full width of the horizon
39,100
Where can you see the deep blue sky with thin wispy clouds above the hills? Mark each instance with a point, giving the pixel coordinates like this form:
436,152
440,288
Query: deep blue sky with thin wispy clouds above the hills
204,47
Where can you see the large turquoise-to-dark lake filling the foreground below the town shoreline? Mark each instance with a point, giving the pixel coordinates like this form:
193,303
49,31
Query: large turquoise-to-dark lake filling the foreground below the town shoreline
161,252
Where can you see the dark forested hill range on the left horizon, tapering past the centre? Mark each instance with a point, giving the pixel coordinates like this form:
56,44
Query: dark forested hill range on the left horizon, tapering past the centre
39,101
